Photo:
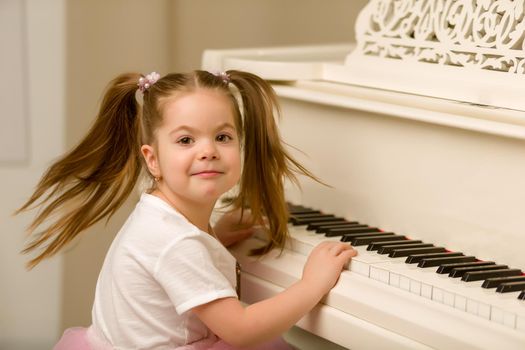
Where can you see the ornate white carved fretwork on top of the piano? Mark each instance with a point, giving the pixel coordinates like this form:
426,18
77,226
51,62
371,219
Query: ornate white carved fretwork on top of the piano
477,34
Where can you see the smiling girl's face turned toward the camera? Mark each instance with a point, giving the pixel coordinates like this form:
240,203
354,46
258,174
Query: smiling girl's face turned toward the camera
197,156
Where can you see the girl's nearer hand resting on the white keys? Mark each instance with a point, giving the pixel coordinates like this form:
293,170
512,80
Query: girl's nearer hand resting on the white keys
325,263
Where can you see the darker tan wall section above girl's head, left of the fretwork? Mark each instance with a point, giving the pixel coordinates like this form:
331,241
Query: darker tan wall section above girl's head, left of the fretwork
196,25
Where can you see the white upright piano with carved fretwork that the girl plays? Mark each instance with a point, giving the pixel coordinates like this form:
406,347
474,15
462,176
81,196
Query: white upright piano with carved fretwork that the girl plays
419,128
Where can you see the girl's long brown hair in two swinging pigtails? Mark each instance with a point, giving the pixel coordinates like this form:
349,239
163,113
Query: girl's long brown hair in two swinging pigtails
94,179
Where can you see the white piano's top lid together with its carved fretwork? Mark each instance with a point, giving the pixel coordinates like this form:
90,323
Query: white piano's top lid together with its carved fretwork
458,50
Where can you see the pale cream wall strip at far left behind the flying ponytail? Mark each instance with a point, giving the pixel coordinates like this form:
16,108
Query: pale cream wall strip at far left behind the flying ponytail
29,300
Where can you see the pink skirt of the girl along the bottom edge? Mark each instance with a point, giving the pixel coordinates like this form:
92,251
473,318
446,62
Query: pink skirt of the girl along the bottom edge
80,338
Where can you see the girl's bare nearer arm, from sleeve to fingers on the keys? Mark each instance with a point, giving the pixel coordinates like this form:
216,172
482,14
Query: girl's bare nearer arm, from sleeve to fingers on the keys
245,326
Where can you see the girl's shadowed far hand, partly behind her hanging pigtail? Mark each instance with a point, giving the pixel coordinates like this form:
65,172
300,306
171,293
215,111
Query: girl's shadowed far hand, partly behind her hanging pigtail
231,227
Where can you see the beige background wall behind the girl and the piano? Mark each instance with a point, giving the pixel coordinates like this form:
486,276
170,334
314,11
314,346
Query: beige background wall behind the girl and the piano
75,48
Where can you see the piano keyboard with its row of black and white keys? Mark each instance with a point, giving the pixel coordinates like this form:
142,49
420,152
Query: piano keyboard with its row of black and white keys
416,255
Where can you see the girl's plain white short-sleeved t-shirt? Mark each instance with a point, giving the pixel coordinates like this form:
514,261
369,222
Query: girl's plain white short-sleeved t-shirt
157,269
